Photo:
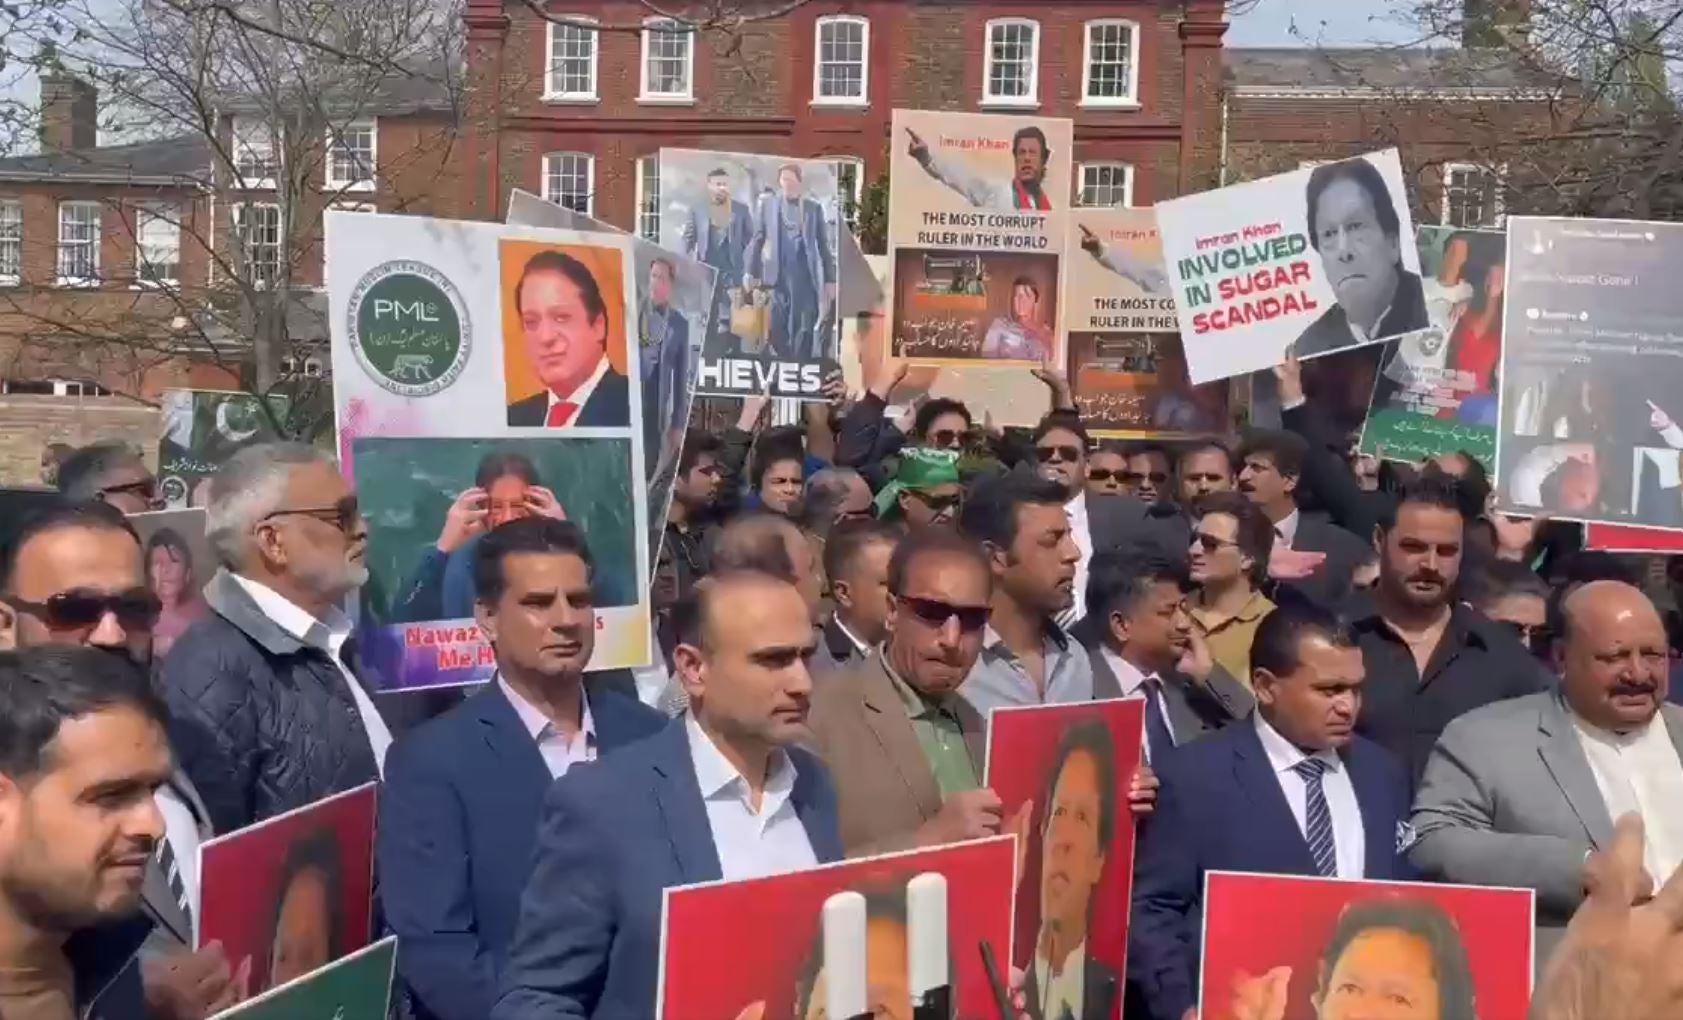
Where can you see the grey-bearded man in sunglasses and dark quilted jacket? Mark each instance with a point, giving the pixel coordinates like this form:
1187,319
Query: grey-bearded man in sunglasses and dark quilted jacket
270,709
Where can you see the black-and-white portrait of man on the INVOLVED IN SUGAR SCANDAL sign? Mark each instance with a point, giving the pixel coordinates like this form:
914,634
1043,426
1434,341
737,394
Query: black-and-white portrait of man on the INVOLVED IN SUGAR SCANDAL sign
1354,225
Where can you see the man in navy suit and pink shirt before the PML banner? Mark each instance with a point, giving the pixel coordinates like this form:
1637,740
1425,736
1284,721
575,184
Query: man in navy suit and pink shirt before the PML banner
464,794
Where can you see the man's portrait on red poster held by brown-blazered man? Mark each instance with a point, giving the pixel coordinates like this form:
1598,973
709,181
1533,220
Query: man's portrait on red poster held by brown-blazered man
1063,982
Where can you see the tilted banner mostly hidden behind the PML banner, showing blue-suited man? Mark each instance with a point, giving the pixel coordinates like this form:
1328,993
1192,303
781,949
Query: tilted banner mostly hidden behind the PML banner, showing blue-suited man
674,309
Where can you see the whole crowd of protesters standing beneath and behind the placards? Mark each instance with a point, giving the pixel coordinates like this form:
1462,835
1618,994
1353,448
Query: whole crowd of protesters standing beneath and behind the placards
1347,672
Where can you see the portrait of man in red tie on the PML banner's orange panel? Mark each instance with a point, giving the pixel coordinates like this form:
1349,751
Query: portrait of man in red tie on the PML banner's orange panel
565,337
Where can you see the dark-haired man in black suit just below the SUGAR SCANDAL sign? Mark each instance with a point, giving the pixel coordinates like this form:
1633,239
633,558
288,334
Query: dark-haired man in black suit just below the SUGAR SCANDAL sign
1314,558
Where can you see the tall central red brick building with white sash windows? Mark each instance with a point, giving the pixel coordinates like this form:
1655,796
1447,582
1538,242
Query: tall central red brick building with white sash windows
580,114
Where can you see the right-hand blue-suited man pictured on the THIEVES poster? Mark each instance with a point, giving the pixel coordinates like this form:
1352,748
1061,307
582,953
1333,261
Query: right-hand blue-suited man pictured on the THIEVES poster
790,253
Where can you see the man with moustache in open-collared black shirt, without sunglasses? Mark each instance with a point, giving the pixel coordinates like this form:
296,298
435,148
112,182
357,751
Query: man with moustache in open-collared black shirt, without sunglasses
1430,657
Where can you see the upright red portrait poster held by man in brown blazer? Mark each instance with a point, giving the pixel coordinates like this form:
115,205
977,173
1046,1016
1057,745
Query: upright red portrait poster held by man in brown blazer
1063,773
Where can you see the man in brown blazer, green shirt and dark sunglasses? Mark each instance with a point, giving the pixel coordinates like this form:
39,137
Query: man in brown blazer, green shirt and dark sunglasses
905,752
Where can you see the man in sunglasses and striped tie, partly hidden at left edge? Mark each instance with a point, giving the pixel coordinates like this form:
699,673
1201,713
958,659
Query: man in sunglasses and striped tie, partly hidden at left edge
73,576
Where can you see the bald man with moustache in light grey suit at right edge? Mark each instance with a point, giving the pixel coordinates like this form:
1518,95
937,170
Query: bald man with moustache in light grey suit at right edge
1521,792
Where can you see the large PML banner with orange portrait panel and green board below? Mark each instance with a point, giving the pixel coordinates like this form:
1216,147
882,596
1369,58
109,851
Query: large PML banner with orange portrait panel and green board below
482,376
